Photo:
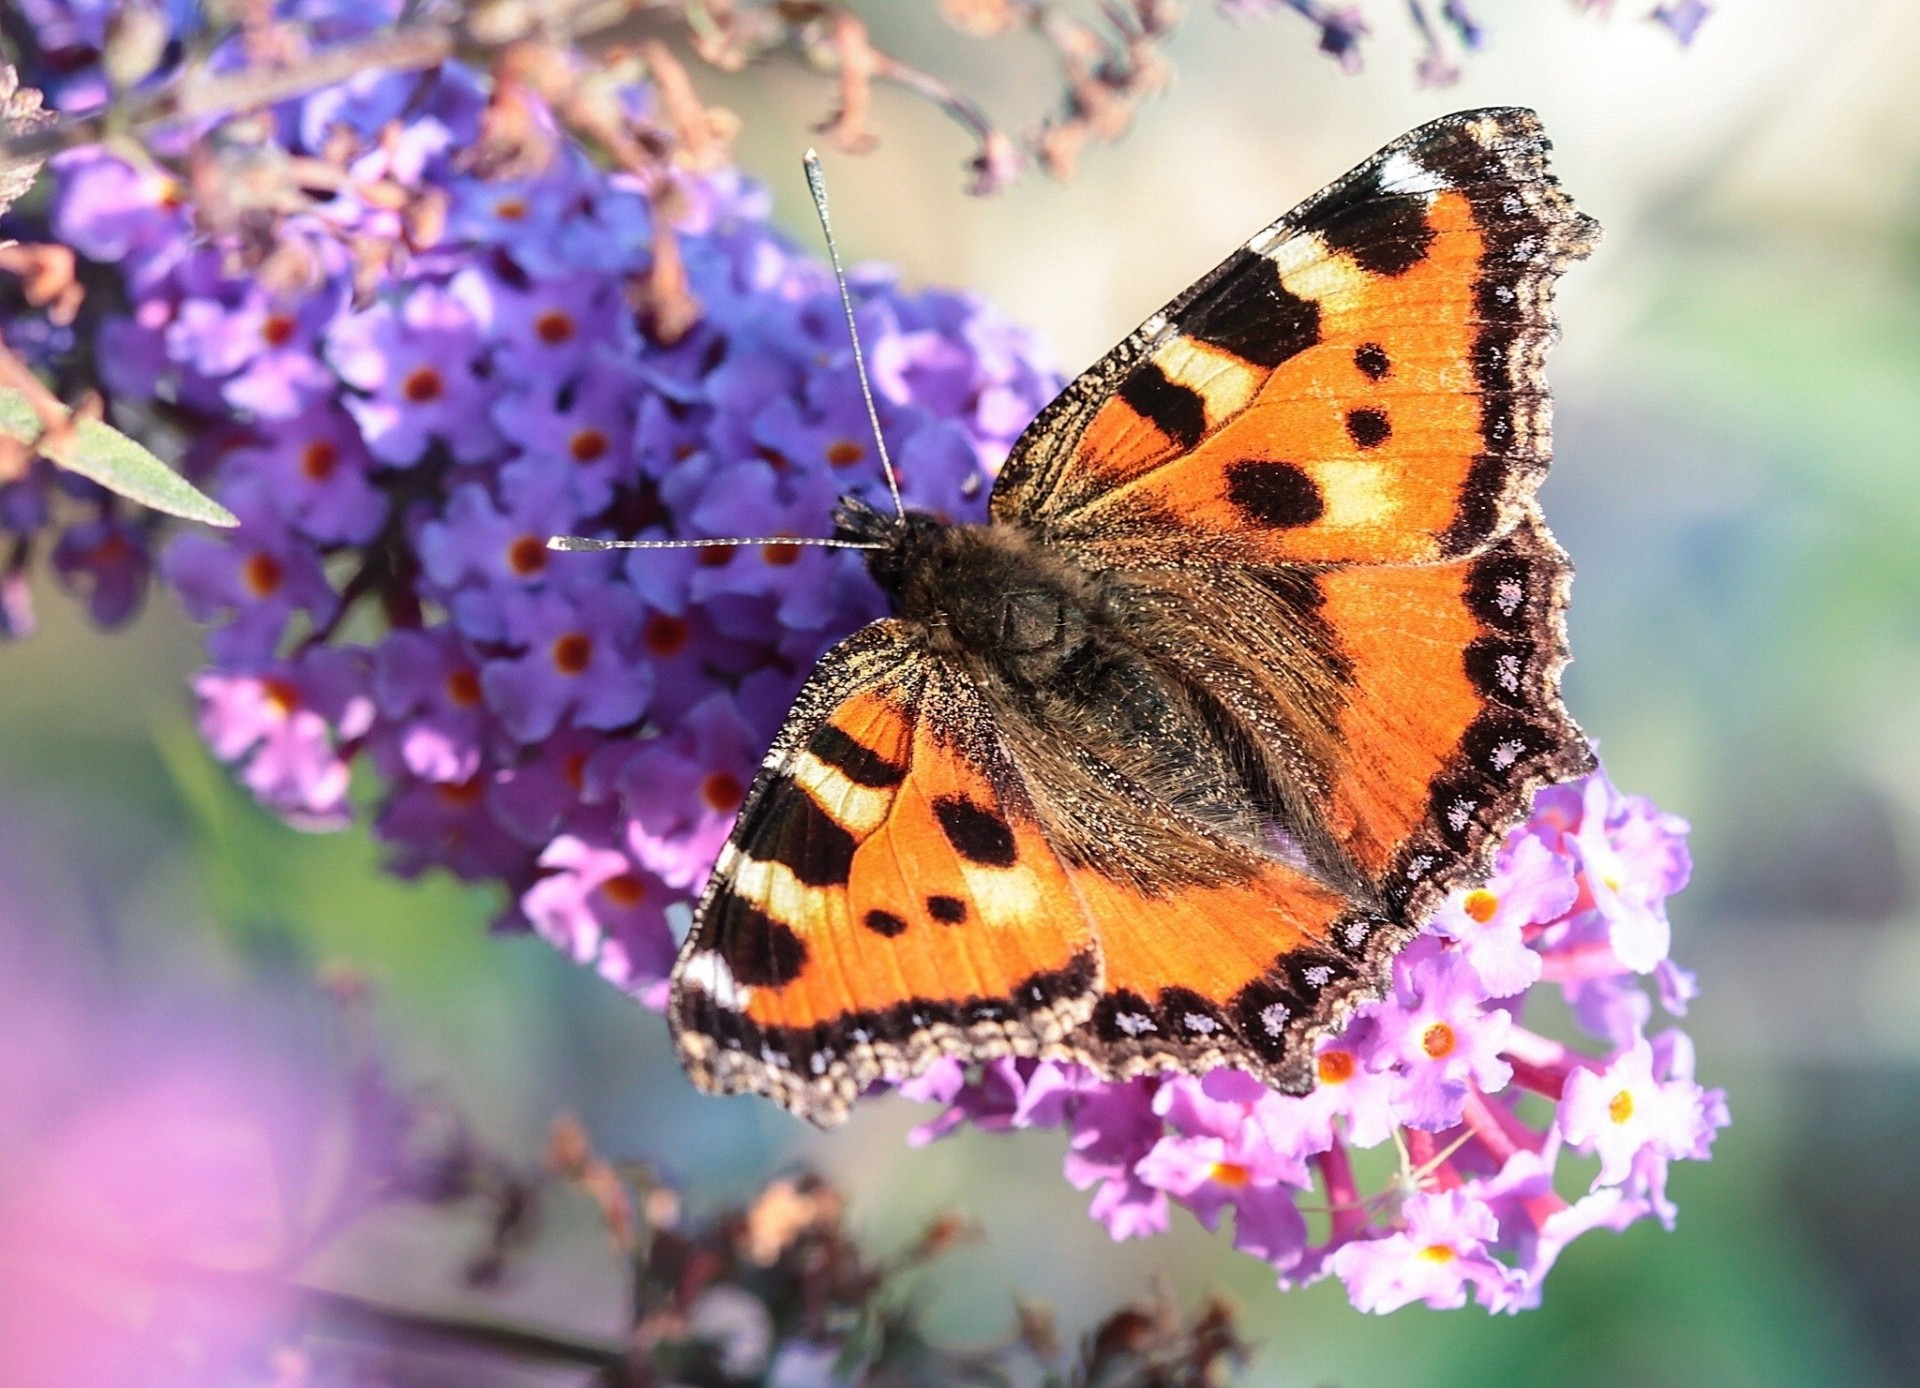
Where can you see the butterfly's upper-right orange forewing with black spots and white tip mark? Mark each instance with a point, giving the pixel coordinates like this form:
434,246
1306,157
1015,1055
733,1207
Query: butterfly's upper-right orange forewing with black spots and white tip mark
1356,385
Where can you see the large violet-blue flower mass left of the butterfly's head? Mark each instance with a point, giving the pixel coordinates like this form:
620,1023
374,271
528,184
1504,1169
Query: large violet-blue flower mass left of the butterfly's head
579,729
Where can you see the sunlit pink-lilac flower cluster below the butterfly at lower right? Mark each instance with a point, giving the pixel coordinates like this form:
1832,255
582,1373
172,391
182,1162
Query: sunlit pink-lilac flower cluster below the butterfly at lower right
1479,1199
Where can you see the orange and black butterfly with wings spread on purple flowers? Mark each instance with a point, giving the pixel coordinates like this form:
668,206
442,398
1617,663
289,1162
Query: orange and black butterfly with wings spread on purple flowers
1255,659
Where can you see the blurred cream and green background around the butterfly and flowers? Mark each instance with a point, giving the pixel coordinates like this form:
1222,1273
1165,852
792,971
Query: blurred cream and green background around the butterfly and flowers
1739,462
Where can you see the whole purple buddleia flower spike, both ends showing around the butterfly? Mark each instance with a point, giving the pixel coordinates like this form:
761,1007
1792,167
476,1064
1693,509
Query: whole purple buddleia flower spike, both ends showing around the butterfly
444,358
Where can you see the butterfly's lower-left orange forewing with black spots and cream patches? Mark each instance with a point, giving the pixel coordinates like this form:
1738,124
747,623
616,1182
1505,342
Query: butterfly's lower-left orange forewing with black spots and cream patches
888,897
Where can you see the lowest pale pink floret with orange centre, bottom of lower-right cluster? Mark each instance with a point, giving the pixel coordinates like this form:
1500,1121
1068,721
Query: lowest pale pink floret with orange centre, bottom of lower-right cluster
1435,1258
